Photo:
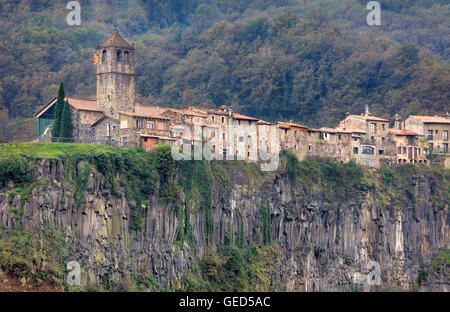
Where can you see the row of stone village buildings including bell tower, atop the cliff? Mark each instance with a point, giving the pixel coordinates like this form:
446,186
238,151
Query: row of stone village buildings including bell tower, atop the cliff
114,118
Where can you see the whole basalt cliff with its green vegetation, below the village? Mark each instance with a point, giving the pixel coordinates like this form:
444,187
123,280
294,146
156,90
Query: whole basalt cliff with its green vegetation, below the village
196,225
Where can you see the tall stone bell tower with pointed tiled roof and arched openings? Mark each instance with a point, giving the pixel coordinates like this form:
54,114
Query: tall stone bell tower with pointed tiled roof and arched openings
115,75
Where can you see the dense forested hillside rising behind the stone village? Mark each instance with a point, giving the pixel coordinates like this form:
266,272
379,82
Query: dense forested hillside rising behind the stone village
306,60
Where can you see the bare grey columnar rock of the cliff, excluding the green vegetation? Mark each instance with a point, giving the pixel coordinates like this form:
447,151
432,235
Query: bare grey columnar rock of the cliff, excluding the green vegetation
327,240
